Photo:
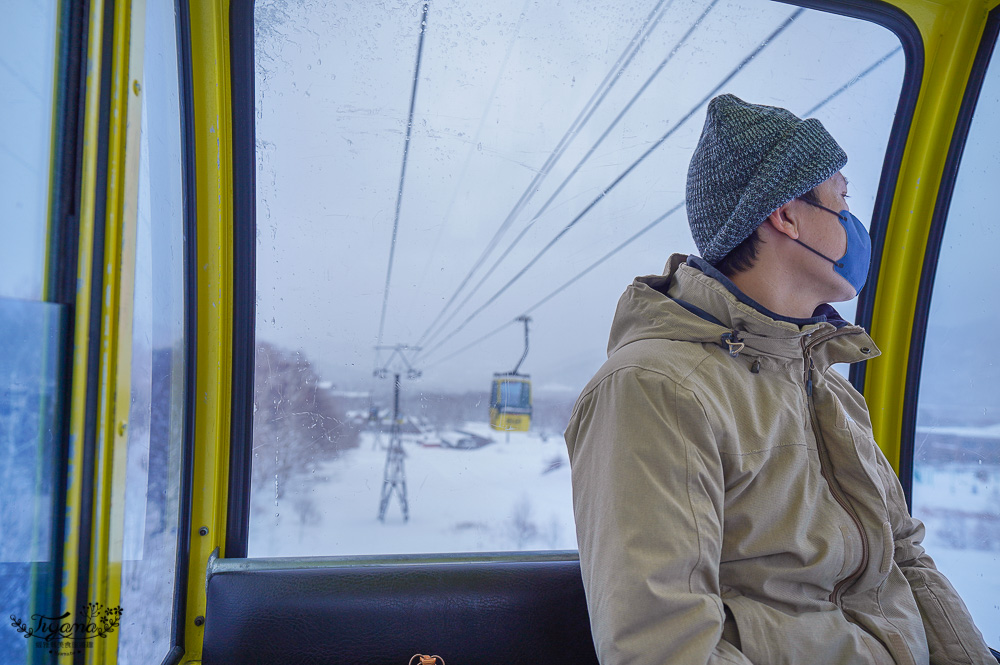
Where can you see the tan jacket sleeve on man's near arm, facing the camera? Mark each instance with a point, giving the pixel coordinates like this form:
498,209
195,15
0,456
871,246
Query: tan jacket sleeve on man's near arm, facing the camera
648,494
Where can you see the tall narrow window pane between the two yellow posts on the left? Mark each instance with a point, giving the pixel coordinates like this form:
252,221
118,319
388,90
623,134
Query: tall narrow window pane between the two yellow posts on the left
156,415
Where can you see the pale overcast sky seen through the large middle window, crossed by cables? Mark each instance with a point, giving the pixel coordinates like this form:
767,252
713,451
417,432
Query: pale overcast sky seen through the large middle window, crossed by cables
333,89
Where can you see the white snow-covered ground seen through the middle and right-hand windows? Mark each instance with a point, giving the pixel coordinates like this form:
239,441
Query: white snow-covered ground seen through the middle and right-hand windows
515,495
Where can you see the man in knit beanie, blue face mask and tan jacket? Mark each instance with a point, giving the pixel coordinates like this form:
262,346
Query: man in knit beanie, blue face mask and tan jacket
731,504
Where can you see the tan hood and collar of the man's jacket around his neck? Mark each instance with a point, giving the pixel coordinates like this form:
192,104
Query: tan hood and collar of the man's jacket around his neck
694,302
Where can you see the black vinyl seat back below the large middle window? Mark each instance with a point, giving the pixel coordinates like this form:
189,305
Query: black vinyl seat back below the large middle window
469,613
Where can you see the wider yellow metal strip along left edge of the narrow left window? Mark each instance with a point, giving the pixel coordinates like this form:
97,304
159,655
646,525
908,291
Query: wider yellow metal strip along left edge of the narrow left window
114,393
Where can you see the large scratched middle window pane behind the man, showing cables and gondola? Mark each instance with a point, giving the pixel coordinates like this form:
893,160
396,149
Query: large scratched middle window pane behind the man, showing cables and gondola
425,180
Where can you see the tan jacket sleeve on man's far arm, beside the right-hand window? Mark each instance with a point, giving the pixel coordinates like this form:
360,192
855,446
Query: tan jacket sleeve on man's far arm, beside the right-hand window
952,636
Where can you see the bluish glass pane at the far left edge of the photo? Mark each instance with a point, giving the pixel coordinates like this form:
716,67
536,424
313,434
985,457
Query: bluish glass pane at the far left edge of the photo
32,331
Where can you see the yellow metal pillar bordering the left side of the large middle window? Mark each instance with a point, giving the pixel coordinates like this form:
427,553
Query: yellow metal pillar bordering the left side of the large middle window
213,155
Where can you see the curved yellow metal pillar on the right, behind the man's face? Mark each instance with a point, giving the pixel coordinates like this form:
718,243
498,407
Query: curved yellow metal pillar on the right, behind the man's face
951,31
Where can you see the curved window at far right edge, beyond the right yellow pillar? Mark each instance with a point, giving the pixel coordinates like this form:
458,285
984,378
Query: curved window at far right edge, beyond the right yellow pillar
956,459
